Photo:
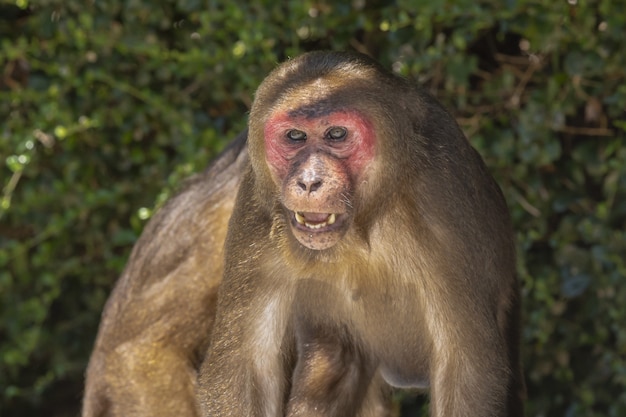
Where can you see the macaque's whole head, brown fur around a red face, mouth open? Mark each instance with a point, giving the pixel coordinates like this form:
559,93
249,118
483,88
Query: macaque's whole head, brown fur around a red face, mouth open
316,127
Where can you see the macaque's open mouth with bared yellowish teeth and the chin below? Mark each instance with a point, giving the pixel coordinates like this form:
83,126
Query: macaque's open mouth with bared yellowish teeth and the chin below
317,231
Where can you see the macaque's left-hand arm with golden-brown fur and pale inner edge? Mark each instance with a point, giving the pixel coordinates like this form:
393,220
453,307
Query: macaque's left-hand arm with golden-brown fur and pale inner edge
243,373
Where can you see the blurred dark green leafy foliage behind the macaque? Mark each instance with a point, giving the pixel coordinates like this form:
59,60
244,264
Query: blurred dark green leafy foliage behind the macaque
106,106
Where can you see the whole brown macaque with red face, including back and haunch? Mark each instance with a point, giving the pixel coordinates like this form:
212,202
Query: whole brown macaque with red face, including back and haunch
367,248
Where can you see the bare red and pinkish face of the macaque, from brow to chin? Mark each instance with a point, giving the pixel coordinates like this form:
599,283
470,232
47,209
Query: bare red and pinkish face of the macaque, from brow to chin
317,161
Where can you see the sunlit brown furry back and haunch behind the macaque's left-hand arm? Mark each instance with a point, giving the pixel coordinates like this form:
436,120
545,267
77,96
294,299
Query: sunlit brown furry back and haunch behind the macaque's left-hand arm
156,323
